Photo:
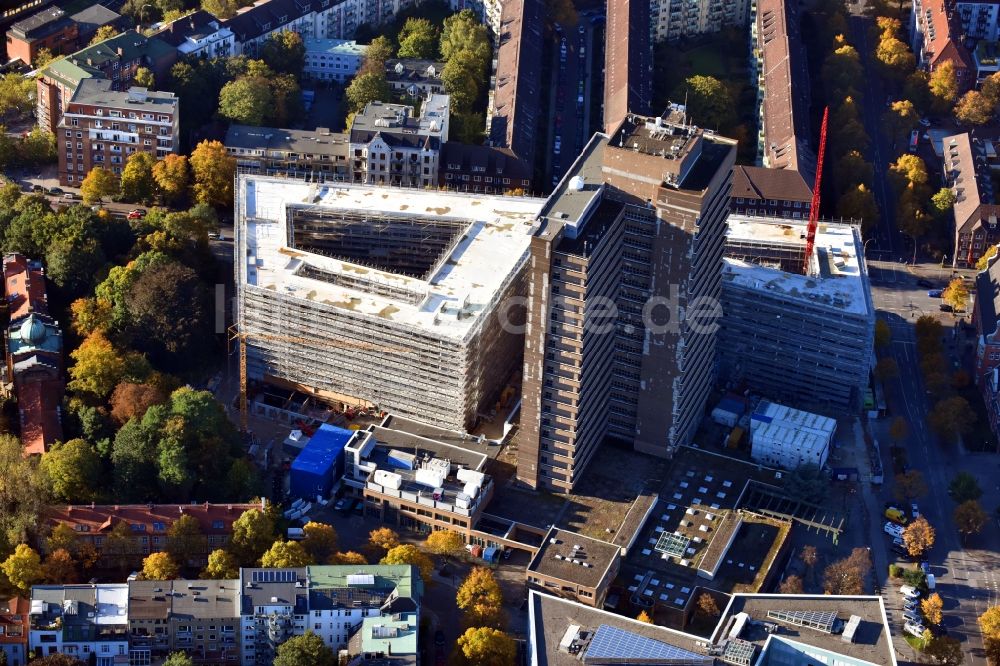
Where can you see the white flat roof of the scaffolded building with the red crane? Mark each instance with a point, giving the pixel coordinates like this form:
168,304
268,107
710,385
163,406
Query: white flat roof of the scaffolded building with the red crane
837,278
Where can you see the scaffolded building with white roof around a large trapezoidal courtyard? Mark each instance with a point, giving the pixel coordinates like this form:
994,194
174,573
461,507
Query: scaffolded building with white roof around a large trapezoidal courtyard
383,297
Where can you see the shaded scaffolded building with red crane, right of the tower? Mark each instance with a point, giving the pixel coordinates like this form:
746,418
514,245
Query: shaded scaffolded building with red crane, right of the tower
803,337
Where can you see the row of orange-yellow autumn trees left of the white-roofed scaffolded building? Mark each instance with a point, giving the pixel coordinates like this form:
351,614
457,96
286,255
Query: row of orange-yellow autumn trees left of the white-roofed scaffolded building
206,178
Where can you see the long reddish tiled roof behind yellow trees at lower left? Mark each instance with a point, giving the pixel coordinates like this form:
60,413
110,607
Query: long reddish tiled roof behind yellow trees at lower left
214,519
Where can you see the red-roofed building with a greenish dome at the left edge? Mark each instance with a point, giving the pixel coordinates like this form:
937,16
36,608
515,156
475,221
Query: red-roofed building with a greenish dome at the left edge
34,355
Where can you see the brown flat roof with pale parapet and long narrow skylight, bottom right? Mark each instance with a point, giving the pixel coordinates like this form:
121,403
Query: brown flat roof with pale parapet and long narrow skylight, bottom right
871,641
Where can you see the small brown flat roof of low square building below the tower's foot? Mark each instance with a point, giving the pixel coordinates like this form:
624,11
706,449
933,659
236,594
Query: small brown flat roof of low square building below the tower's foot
558,557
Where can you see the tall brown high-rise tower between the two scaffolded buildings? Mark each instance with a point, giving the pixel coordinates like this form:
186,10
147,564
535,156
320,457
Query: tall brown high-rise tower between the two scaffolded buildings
639,371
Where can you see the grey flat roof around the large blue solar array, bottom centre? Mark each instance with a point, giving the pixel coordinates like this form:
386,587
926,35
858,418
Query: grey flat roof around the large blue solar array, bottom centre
551,618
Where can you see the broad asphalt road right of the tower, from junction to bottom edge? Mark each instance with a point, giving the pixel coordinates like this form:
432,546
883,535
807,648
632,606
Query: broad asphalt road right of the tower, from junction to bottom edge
968,576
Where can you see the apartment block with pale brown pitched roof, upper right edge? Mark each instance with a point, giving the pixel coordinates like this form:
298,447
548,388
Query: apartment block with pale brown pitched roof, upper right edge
967,169
